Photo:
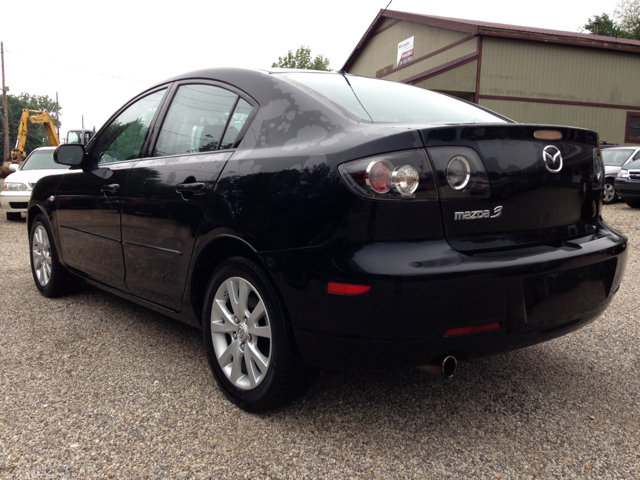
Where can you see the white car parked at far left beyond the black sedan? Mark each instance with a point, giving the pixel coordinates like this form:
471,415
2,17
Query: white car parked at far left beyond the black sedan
16,189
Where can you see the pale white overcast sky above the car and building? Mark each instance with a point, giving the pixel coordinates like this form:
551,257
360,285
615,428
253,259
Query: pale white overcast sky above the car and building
97,55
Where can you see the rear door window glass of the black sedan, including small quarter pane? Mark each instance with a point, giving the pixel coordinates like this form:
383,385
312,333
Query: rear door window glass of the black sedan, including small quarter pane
201,119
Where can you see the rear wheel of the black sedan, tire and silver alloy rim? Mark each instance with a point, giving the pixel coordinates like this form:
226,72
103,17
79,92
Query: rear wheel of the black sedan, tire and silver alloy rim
250,349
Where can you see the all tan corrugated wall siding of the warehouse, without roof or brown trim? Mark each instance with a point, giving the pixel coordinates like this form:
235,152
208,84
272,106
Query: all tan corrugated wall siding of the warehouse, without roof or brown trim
520,69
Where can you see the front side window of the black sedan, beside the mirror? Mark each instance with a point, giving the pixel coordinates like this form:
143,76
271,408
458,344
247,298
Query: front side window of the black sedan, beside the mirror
124,137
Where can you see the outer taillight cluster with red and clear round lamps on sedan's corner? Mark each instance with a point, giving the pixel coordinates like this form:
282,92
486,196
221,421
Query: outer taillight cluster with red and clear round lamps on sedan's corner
398,175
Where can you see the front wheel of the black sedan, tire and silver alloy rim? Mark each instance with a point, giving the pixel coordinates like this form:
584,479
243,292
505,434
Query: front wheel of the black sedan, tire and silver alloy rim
50,276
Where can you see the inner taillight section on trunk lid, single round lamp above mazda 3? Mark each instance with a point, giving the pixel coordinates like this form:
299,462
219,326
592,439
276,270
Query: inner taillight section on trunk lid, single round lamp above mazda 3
460,172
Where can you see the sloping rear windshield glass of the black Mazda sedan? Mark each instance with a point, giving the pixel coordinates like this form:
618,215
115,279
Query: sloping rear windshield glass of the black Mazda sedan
382,101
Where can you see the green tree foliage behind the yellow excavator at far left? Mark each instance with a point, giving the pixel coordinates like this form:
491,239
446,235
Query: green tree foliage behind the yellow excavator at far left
36,137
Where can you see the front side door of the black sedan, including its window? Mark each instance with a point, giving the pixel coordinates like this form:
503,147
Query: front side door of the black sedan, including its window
88,203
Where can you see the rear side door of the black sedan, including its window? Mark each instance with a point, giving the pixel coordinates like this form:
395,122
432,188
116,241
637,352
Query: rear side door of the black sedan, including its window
166,194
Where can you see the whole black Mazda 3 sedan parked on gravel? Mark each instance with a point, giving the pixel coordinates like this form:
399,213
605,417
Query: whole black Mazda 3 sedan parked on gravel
312,219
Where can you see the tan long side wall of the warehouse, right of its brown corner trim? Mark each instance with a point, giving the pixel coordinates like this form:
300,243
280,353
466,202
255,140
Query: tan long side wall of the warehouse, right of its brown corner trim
536,70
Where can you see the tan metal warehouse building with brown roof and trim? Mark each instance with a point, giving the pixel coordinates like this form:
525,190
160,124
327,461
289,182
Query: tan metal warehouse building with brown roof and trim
531,75
